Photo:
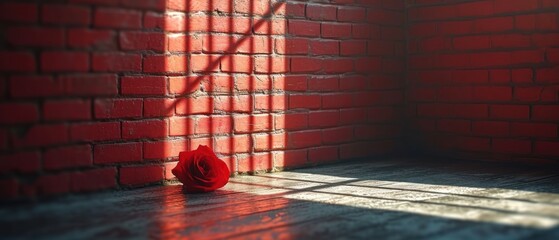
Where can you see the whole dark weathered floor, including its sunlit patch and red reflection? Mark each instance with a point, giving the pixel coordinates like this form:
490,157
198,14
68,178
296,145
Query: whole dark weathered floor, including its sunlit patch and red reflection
388,199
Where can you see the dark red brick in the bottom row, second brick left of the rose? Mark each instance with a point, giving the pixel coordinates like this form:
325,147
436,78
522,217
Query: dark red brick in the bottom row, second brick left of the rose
94,180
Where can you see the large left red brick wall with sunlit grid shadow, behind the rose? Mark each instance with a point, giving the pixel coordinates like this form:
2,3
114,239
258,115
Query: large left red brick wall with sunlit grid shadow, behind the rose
103,94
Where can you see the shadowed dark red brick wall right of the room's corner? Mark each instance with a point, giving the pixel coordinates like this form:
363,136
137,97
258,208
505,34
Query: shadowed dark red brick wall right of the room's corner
483,78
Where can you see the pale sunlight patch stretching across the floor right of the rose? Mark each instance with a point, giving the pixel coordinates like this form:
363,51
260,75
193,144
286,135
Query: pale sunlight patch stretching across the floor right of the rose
491,205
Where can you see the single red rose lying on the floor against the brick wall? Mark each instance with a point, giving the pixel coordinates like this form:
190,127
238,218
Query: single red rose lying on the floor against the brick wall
201,171
